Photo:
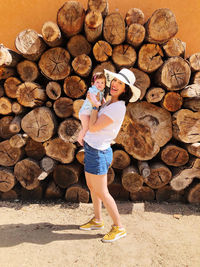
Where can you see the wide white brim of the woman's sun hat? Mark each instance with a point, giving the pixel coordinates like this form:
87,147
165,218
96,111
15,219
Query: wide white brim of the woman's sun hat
111,75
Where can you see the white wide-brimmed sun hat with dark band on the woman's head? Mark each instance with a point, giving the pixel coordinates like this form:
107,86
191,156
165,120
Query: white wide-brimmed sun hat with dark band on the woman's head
127,77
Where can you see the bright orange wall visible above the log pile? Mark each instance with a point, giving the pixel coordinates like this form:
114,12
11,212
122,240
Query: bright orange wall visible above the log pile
18,15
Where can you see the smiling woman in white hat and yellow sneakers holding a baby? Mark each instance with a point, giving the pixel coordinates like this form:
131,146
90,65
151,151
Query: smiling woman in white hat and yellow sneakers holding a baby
104,125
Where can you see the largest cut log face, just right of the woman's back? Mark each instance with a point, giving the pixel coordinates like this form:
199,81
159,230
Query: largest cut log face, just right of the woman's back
145,129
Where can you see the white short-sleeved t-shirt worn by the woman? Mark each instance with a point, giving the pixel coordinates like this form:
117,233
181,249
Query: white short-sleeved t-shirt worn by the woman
102,139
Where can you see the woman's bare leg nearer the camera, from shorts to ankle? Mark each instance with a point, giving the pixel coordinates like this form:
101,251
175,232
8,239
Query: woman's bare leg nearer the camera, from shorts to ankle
99,187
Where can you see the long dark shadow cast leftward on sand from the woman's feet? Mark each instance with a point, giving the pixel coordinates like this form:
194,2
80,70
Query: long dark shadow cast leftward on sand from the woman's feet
40,233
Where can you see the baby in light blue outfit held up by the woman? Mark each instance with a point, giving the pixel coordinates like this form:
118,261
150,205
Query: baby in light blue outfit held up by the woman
97,89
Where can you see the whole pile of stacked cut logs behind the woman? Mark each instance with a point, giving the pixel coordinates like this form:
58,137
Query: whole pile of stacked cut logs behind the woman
44,83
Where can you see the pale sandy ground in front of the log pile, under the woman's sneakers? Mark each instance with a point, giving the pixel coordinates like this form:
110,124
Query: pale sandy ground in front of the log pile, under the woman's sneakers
47,234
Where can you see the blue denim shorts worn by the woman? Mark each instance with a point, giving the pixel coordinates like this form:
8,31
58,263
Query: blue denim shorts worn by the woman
97,161
